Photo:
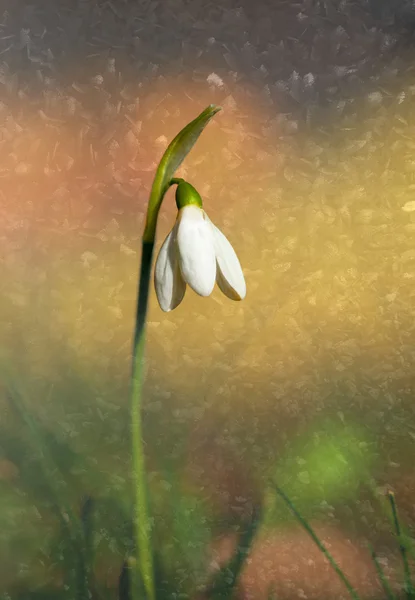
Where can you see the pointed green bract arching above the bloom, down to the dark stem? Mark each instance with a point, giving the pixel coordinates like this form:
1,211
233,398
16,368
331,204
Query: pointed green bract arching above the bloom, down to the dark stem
173,157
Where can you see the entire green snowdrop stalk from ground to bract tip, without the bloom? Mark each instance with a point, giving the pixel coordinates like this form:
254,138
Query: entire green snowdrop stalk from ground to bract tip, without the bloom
171,160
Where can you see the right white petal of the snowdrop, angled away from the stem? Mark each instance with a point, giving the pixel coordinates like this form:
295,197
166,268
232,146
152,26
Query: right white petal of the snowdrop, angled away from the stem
229,275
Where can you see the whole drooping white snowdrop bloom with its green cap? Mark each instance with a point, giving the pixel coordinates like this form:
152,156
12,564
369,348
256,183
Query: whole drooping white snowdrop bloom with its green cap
197,254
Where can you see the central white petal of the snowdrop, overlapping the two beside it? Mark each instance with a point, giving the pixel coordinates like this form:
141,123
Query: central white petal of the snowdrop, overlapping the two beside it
196,250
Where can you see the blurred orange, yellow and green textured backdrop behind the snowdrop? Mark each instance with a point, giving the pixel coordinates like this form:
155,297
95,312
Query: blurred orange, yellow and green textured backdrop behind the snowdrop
309,170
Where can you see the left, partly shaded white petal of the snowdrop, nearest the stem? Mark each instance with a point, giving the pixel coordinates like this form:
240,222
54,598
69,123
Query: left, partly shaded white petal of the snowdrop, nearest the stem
168,281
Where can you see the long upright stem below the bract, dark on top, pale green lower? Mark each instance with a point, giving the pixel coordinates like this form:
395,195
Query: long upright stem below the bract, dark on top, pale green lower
142,525
